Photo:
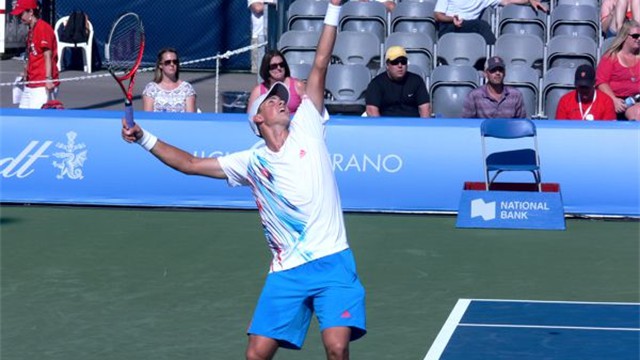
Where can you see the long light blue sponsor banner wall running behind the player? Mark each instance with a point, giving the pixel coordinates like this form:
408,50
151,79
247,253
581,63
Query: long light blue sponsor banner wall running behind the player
415,165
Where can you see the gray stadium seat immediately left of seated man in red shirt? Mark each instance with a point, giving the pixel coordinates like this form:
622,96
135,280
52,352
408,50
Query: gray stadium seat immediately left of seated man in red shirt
556,82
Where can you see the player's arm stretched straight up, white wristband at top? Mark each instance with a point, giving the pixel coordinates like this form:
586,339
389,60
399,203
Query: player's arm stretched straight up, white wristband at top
316,79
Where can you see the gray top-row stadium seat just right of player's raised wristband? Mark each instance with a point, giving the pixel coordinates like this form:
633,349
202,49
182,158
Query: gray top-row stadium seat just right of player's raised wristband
368,17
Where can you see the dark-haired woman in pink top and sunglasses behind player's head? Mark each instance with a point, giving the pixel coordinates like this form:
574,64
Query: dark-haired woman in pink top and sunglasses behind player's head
273,69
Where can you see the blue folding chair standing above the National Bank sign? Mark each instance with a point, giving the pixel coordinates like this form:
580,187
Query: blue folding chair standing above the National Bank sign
516,159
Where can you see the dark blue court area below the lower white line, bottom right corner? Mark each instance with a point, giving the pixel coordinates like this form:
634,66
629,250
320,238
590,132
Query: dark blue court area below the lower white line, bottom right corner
497,343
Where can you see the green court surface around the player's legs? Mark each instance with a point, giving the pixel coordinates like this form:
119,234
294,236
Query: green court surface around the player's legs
113,283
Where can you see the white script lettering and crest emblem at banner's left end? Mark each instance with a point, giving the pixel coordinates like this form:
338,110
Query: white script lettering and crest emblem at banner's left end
69,159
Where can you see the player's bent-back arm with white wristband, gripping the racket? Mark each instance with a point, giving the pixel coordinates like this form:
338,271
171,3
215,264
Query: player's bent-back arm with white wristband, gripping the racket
172,156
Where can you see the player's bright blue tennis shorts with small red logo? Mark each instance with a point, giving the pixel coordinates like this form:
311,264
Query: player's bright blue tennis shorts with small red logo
328,286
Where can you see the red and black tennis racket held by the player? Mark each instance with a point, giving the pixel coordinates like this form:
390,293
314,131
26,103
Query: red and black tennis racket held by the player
124,53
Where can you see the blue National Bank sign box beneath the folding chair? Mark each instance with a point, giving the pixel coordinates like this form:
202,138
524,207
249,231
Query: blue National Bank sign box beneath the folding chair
511,210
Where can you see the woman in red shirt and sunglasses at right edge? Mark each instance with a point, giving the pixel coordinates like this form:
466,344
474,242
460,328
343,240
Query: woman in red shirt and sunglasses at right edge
618,73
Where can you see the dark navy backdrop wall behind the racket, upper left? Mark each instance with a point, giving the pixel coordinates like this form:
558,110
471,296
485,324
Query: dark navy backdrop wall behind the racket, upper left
196,28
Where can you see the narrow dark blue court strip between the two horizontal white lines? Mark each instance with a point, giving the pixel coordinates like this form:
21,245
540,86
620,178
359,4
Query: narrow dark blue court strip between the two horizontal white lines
553,314
